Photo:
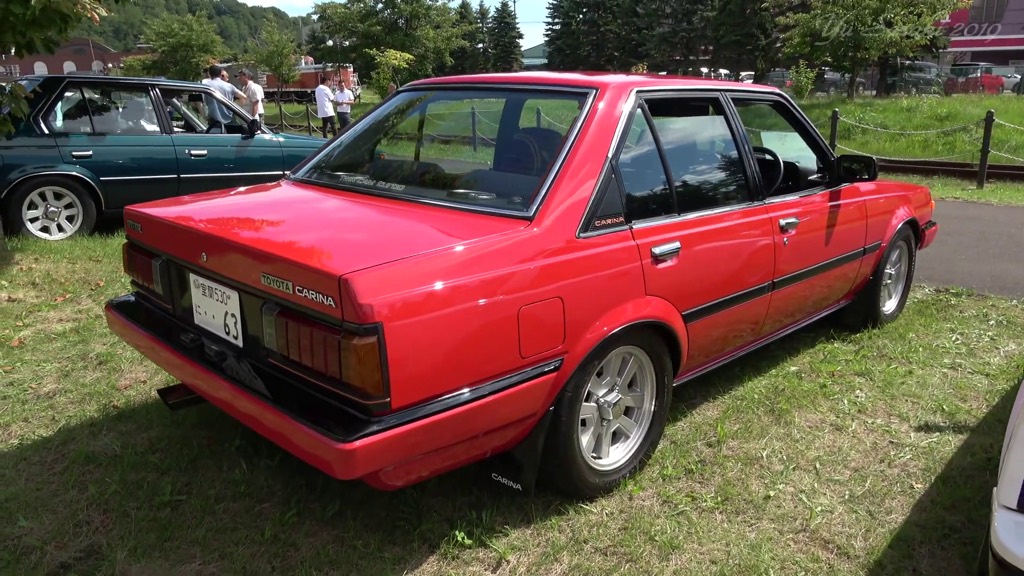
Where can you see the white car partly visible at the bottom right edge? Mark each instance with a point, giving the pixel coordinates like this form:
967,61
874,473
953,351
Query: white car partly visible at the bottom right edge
1003,552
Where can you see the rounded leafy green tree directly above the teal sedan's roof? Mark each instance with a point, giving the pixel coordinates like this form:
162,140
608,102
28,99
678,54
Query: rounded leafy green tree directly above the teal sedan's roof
184,47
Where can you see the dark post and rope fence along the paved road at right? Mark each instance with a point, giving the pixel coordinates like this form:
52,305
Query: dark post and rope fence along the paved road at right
977,162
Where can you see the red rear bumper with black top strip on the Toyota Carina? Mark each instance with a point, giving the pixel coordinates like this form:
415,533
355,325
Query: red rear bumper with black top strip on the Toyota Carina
389,452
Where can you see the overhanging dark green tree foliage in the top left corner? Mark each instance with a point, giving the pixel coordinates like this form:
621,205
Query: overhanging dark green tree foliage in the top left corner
36,28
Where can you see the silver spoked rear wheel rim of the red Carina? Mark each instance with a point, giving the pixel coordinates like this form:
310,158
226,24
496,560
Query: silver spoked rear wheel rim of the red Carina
618,408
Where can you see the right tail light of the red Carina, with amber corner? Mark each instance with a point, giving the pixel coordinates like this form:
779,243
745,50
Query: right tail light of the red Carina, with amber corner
339,359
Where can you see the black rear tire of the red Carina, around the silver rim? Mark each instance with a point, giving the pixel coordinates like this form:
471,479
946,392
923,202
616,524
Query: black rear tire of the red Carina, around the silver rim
565,467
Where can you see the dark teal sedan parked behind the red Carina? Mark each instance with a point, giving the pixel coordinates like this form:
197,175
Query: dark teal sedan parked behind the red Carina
94,145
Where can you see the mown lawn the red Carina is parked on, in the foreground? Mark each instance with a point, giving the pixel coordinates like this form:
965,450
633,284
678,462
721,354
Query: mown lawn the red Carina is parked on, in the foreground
826,454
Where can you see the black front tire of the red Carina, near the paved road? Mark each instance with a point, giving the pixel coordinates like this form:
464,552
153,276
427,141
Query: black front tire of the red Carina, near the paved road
868,310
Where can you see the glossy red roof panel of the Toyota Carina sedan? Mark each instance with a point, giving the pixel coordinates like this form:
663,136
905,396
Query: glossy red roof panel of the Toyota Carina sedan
598,80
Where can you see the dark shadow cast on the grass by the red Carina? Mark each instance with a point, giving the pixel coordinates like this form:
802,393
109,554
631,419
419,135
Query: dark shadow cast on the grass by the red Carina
144,490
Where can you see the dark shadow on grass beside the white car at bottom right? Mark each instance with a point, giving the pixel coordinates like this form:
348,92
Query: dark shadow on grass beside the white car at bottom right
945,531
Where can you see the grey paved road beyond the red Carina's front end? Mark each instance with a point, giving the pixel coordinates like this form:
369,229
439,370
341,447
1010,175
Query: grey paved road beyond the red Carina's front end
979,246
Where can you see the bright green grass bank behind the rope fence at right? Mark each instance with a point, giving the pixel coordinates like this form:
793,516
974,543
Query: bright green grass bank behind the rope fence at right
919,114
